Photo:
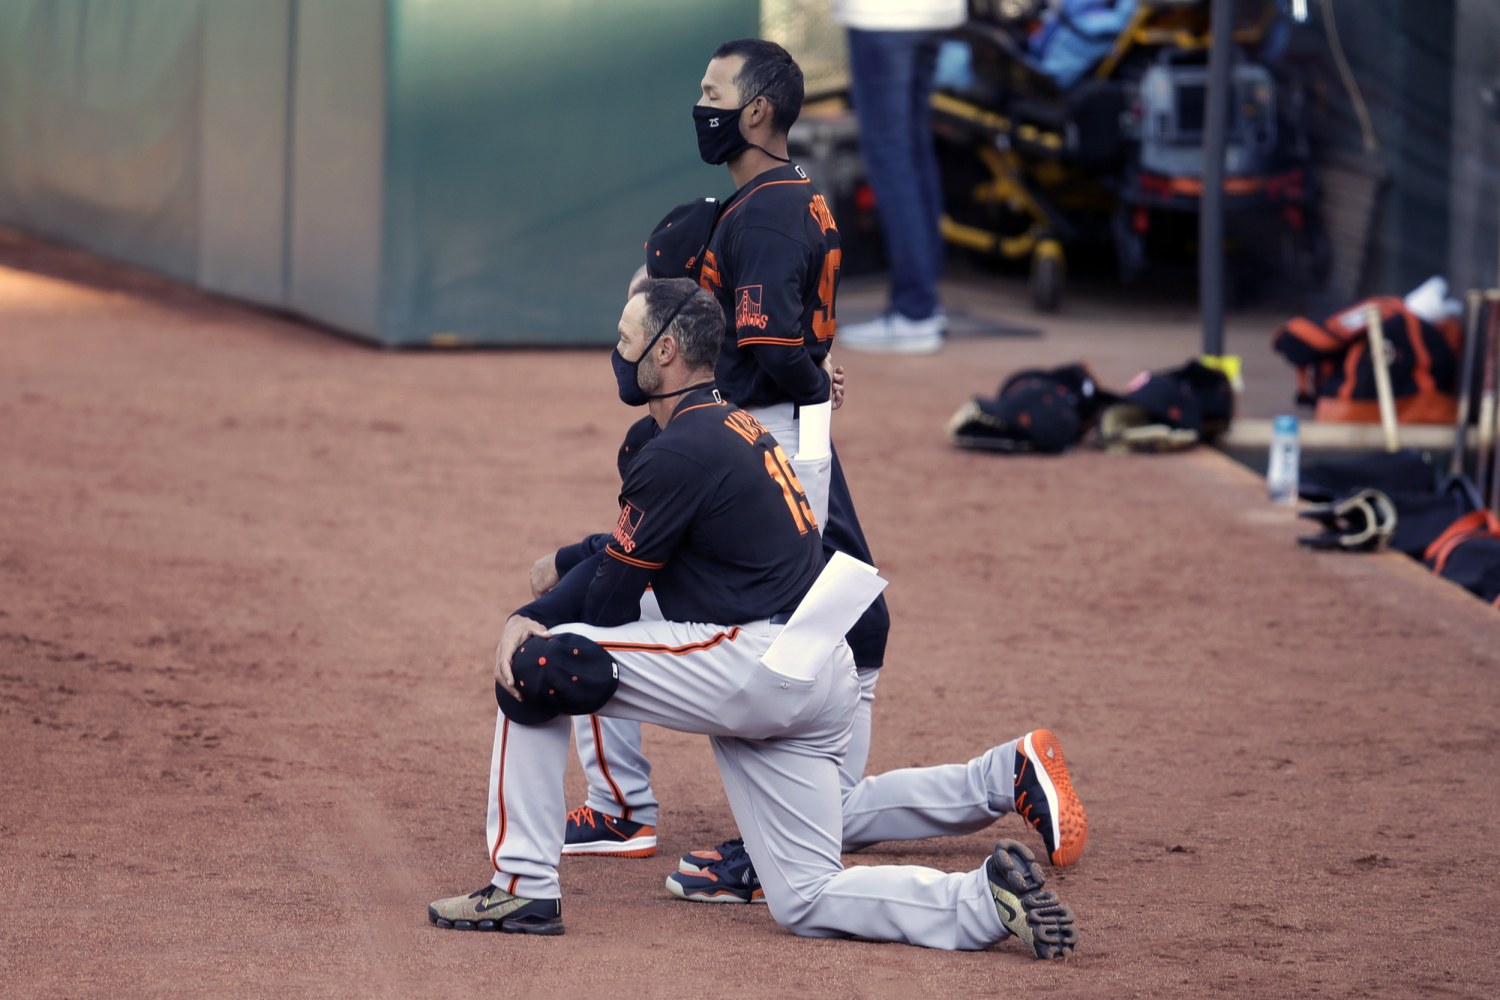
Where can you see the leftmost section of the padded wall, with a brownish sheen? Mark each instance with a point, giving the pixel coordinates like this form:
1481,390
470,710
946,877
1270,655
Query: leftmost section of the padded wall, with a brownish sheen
100,127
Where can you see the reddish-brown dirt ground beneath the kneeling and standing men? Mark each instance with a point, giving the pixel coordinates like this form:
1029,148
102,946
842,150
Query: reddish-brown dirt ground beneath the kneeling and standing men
251,579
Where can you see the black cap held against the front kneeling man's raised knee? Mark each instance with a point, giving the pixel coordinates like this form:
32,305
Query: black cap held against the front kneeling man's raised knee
562,675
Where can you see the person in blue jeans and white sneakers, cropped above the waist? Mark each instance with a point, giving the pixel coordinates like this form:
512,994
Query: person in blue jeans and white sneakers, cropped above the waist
893,59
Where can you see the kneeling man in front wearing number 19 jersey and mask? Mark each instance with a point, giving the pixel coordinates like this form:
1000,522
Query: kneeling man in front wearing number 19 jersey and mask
716,522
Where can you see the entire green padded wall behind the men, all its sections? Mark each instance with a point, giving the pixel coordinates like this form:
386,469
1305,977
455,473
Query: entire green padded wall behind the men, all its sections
412,173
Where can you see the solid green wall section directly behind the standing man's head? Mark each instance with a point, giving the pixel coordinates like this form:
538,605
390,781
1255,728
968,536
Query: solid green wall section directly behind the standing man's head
530,151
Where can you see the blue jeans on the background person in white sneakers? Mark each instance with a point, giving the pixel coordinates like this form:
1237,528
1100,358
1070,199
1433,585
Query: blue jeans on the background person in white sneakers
892,76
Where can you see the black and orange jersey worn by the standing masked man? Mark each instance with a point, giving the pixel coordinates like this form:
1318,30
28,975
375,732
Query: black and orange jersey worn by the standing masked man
773,265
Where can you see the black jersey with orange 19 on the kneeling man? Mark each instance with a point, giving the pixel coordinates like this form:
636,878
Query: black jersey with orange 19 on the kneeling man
713,518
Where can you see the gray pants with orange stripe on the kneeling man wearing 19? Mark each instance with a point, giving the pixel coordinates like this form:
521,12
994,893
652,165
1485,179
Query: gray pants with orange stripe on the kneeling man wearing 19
778,743
